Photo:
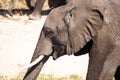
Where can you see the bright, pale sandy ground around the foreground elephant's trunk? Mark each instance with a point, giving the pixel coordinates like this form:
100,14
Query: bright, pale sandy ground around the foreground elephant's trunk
18,39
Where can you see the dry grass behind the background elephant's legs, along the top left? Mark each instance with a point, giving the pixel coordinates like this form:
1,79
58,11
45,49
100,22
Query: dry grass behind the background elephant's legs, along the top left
20,8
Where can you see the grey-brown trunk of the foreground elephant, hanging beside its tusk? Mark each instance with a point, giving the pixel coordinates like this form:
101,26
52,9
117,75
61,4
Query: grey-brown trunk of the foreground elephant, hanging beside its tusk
44,47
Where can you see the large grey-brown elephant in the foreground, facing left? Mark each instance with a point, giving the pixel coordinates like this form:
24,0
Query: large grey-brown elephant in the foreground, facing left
78,28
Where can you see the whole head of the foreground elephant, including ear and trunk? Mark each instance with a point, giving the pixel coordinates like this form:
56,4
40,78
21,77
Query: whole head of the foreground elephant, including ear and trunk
67,30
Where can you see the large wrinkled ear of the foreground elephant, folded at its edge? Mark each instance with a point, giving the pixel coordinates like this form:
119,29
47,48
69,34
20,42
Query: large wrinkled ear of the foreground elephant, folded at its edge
82,24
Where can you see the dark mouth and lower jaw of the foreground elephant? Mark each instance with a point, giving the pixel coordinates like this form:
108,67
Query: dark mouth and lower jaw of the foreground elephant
58,51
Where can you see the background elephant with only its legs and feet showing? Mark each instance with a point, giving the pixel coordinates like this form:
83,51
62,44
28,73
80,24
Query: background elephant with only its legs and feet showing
36,7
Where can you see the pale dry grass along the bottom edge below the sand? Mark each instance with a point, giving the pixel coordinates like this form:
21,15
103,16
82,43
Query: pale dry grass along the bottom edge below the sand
45,77
